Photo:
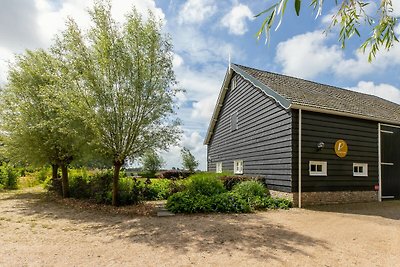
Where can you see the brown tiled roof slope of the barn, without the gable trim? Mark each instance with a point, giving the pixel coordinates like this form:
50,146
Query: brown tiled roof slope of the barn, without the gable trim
307,93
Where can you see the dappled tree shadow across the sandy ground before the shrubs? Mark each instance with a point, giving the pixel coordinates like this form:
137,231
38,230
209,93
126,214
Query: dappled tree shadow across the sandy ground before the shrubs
252,234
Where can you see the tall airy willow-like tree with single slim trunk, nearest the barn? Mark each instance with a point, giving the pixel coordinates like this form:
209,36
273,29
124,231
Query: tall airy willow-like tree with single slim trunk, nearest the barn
126,77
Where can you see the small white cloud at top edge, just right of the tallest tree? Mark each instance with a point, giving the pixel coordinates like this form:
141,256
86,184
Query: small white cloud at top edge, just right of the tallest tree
196,11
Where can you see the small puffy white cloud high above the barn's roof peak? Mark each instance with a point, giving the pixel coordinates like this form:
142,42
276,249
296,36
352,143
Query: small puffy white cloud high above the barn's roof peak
235,20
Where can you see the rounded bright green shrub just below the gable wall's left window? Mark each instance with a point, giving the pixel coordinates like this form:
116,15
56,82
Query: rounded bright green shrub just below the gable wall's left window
205,184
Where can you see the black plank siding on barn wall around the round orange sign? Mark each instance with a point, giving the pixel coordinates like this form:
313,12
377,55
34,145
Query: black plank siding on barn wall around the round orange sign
361,137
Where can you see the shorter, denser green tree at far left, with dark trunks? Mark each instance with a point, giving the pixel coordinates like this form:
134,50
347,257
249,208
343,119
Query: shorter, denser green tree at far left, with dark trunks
39,118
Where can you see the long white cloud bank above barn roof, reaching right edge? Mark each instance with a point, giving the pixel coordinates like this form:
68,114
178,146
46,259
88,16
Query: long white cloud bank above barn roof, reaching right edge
309,55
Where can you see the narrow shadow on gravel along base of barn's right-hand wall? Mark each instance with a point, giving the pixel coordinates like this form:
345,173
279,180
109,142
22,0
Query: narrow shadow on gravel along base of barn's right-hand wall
389,209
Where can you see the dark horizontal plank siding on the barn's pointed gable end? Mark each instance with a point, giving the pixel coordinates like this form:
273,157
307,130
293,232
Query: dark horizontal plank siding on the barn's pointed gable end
263,139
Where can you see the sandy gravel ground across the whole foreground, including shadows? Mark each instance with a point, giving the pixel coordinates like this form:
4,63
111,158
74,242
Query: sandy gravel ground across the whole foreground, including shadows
39,230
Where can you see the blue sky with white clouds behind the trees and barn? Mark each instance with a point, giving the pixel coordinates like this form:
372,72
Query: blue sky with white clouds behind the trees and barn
204,33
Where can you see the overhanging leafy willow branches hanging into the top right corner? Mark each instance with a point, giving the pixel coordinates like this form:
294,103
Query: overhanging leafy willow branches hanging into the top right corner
349,16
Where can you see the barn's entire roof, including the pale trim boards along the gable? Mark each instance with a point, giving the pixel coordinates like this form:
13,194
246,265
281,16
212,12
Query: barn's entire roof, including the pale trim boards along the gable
295,93
